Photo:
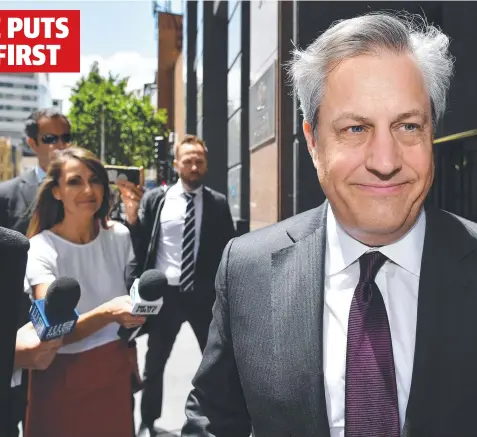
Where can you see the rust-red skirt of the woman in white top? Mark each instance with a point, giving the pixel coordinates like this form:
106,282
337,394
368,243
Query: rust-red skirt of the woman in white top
84,394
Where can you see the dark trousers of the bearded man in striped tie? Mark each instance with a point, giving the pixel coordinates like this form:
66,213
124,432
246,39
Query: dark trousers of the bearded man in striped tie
178,307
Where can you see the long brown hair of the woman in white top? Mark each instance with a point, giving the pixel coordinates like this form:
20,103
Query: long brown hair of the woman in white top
48,210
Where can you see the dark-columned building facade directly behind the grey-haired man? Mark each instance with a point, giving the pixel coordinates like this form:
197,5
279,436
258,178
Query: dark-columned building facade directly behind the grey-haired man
238,97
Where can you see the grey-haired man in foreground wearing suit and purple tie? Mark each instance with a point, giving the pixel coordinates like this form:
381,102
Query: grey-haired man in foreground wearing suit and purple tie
357,318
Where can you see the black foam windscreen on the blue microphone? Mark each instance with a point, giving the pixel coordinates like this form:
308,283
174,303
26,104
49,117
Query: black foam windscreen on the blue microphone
61,299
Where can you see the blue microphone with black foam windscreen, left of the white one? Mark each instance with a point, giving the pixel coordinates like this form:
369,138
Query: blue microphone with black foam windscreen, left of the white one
55,315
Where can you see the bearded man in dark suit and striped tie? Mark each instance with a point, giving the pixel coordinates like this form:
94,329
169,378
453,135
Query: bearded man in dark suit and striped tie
182,232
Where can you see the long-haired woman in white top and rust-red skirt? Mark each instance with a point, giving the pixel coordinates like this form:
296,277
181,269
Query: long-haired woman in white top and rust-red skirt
86,391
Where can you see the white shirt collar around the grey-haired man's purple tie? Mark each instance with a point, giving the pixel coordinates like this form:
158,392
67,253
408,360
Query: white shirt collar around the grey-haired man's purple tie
343,250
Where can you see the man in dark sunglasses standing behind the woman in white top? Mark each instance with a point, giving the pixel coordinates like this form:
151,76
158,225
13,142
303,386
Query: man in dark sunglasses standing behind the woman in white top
46,130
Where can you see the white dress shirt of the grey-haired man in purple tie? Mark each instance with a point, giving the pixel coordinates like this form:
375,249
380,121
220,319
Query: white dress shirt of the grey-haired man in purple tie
398,281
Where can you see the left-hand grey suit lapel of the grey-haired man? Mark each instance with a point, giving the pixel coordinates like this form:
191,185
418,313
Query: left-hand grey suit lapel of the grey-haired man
297,318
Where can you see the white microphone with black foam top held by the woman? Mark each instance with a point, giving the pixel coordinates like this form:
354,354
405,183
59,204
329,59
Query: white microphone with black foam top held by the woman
147,298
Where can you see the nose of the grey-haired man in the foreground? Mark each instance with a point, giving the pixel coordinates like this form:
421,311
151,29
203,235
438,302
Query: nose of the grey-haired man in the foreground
384,154
